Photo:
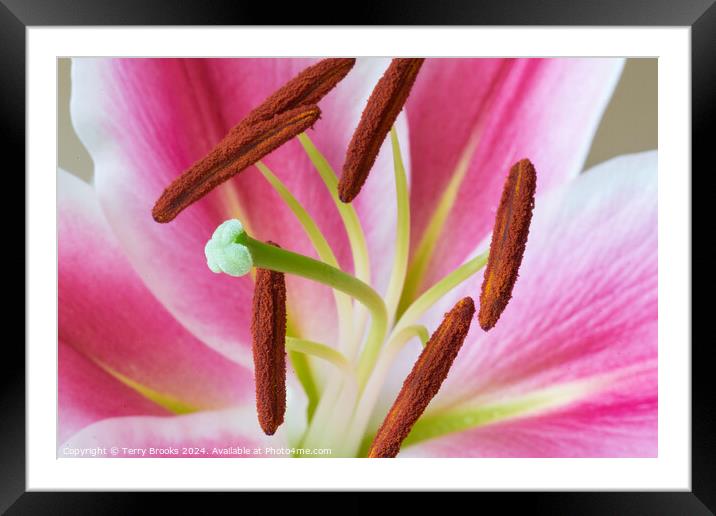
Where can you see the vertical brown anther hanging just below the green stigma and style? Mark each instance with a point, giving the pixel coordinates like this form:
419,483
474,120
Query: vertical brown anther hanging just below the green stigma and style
268,329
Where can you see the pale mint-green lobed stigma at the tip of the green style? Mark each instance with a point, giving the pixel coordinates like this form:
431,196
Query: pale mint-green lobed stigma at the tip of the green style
225,254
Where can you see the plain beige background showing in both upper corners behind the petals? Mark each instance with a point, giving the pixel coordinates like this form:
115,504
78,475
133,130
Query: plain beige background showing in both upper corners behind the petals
629,123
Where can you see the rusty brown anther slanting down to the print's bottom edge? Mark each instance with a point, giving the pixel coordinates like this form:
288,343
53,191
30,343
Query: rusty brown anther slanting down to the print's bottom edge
424,381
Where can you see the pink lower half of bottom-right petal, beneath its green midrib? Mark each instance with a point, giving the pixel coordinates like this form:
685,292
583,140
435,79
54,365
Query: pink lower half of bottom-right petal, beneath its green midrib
619,421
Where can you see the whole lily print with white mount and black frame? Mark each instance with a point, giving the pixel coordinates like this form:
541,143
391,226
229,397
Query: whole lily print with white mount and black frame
461,250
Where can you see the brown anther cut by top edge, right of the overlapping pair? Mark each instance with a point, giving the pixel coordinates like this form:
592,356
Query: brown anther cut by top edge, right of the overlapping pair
383,107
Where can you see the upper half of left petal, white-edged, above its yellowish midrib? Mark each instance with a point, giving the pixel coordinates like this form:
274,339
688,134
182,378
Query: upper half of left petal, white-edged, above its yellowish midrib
108,315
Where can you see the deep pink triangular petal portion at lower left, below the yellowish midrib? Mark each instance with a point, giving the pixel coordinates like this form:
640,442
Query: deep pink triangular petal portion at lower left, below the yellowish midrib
87,393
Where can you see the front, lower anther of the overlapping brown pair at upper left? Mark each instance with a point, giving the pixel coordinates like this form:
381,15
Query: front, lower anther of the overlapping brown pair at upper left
242,147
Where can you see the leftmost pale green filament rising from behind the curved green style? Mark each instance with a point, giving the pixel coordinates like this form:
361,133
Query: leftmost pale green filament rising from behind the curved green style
320,244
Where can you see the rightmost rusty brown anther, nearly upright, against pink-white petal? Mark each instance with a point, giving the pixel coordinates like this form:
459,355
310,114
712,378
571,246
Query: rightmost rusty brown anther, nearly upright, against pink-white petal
509,237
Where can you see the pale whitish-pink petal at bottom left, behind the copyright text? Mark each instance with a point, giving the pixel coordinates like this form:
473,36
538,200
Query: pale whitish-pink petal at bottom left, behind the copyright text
228,430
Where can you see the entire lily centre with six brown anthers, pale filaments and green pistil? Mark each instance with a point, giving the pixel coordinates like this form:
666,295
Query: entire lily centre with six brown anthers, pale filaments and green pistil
339,415
